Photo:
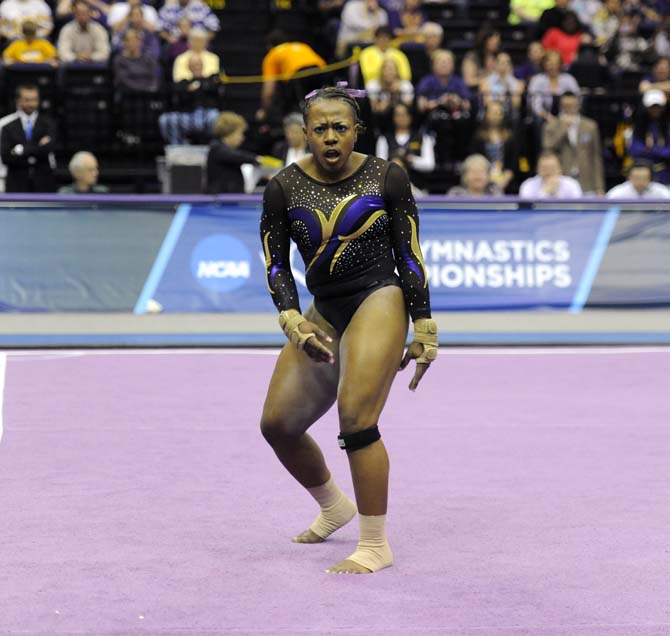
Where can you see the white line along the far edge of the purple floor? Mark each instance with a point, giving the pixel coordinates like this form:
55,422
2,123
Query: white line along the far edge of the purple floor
32,355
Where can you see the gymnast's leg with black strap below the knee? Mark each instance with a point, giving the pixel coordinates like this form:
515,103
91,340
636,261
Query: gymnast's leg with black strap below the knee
370,352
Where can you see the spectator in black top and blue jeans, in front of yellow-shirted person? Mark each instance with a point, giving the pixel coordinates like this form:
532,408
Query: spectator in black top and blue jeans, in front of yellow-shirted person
196,103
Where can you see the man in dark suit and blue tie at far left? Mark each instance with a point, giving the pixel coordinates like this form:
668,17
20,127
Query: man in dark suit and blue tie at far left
27,145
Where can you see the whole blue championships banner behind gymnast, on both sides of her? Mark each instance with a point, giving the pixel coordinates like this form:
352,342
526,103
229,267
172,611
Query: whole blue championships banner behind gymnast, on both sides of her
212,260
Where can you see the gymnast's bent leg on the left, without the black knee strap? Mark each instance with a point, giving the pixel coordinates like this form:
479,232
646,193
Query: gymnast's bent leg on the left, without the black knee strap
301,391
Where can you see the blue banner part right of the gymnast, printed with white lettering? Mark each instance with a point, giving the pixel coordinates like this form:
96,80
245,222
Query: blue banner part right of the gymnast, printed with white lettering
479,259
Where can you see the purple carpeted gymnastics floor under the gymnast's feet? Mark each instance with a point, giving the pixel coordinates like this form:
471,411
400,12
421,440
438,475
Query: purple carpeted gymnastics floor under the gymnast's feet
530,496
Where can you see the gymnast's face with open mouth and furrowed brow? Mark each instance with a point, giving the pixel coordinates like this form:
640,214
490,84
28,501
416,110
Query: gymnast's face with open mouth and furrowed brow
331,134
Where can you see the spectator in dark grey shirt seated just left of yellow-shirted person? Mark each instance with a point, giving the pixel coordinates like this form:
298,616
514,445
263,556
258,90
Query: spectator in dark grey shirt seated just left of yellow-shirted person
135,70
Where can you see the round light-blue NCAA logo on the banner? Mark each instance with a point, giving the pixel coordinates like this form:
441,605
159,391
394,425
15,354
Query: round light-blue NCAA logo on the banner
221,262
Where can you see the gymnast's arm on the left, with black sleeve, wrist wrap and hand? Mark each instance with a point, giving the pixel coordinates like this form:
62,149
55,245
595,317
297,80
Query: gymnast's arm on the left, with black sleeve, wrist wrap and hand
276,240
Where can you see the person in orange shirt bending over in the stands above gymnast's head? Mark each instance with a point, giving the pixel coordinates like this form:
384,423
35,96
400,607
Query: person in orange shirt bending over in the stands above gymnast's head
284,58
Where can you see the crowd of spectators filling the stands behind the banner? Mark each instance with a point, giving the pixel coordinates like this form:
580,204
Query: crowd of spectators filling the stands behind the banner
474,120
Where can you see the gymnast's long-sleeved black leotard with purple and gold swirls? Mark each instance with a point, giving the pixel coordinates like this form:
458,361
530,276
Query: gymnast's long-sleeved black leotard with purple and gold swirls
352,235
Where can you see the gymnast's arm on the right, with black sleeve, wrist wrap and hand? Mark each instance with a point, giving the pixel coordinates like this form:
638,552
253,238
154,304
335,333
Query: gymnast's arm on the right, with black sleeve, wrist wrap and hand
401,208
